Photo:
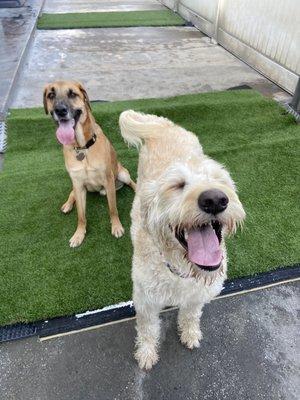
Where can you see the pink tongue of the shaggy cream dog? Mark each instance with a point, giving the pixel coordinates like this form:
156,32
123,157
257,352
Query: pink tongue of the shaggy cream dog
203,247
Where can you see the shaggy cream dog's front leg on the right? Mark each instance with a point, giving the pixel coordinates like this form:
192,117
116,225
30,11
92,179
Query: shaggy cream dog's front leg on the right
189,325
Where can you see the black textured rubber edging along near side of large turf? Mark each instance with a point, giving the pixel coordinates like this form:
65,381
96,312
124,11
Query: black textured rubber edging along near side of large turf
72,323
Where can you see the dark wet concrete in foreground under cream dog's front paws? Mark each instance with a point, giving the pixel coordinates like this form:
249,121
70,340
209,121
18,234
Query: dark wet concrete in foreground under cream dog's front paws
250,351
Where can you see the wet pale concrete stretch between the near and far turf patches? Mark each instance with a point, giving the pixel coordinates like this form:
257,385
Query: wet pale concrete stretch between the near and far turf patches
128,63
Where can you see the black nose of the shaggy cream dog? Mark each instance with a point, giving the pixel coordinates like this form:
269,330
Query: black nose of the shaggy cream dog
213,201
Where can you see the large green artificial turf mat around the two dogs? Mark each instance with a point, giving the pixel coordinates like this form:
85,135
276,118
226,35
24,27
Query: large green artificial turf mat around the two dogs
41,277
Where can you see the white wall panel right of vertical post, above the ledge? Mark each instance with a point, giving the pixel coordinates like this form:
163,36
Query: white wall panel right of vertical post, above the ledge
267,26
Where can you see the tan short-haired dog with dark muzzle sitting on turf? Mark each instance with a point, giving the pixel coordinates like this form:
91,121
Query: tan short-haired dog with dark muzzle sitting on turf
90,159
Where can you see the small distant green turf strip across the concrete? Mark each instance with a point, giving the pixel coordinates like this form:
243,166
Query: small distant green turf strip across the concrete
109,19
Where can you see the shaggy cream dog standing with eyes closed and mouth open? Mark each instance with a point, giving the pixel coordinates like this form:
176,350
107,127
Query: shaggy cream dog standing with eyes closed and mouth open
184,206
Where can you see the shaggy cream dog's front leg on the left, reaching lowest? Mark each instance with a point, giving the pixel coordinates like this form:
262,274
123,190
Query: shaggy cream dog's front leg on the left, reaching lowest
148,332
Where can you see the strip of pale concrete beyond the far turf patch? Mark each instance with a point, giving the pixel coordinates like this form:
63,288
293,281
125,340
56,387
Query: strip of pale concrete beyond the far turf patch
67,6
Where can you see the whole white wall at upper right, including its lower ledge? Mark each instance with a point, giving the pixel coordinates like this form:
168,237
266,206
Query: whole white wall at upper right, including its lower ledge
263,33
